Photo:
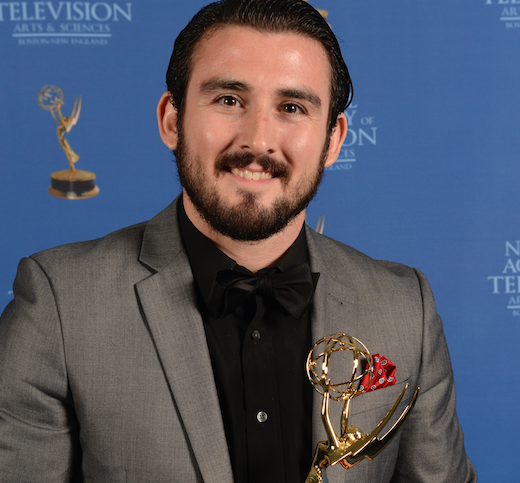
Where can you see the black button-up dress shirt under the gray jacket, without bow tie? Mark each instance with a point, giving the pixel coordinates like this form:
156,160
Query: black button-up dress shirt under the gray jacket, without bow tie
258,357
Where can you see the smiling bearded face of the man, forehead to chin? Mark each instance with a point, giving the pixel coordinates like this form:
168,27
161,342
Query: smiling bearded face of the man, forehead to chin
253,137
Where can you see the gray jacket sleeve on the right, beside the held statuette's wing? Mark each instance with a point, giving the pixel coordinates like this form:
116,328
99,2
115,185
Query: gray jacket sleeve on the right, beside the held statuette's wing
432,443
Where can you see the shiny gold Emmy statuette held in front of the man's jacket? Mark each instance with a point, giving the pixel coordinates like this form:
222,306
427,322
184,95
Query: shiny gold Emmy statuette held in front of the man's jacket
352,446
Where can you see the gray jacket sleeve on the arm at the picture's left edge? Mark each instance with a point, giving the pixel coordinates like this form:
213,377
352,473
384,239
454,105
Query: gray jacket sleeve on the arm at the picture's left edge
38,428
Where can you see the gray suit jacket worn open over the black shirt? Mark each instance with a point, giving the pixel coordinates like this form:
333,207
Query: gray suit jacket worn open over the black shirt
105,374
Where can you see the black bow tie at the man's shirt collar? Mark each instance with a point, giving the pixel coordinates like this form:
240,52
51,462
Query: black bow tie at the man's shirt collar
292,289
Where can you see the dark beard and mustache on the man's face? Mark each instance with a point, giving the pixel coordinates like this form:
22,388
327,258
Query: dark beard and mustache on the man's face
248,221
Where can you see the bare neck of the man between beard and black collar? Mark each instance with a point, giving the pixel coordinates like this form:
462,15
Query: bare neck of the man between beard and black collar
253,255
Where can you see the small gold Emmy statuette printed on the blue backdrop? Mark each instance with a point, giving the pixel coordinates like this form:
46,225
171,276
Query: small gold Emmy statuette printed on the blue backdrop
71,184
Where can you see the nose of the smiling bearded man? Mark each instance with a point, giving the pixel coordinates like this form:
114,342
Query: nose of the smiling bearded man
258,133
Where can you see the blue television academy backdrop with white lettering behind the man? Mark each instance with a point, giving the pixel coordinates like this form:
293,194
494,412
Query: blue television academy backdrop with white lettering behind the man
429,174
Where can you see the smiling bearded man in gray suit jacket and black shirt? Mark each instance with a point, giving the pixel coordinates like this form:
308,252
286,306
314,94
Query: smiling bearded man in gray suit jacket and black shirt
162,352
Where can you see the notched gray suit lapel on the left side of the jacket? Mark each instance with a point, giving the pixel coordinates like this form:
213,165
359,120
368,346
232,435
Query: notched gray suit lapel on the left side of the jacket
168,302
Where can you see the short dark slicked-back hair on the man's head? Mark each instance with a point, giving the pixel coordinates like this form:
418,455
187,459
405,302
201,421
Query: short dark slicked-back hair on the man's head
264,15
